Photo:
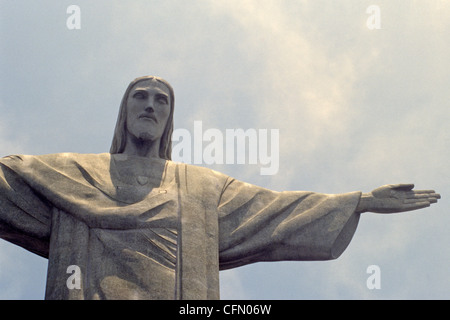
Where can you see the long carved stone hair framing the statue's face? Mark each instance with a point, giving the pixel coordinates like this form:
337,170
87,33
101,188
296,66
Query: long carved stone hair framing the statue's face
120,132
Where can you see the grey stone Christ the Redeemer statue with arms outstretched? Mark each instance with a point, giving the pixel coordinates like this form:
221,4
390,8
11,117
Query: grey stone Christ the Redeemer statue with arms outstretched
139,226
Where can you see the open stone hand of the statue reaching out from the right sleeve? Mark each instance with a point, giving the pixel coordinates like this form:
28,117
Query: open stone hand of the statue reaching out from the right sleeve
394,198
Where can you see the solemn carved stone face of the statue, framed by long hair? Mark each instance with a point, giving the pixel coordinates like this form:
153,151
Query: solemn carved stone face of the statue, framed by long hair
148,108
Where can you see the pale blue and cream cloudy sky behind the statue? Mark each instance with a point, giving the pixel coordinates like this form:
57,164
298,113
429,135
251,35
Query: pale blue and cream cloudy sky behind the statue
358,91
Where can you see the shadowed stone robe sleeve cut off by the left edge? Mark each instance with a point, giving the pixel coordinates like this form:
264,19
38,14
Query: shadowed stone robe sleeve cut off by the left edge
25,216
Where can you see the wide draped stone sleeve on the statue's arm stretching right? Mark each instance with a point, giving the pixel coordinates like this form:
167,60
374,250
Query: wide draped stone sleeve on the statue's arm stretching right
256,224
